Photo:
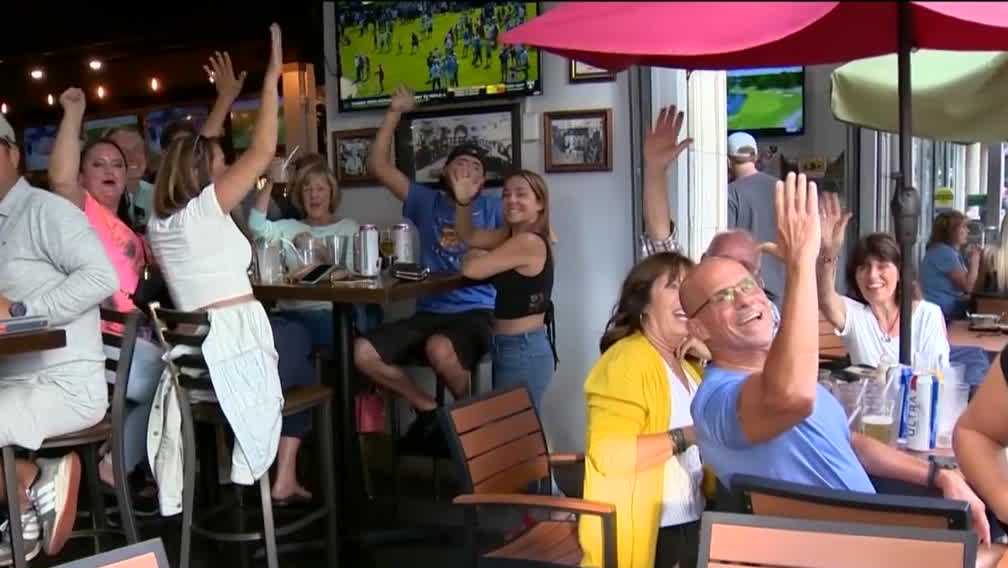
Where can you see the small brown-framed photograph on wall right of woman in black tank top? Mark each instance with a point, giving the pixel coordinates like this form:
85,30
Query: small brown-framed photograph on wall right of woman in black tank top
580,141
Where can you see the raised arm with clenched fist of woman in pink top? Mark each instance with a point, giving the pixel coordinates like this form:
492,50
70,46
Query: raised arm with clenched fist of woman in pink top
65,162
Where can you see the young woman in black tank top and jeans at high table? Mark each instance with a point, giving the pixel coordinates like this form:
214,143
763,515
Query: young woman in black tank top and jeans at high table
519,261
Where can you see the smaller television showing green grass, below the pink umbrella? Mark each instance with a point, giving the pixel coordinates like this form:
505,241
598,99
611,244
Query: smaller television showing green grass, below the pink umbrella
768,100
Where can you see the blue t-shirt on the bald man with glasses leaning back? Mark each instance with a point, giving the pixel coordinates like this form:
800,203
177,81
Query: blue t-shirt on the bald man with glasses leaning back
817,452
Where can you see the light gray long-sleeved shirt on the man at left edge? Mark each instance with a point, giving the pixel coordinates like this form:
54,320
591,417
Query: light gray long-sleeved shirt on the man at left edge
53,261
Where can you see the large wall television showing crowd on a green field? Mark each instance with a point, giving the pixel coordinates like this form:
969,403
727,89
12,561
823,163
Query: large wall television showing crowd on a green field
444,52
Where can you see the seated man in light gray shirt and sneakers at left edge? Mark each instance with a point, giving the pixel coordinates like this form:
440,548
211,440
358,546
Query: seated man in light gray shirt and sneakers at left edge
52,266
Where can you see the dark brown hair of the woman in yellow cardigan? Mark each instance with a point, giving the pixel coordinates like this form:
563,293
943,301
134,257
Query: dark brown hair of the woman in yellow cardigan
636,295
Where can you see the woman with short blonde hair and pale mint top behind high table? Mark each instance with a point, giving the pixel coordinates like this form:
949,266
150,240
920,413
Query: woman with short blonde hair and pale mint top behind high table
317,195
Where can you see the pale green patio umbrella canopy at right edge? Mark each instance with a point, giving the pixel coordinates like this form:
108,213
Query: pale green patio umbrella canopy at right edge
958,96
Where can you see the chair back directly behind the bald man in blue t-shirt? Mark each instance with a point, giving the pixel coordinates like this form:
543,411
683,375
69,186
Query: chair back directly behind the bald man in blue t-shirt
771,498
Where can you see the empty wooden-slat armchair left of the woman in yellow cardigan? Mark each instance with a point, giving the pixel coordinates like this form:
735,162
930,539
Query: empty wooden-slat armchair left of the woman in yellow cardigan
500,451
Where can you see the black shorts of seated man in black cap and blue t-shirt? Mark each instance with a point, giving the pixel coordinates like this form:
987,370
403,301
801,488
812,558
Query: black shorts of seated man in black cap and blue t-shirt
470,333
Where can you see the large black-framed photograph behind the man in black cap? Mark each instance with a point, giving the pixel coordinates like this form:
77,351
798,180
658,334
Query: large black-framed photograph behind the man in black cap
425,140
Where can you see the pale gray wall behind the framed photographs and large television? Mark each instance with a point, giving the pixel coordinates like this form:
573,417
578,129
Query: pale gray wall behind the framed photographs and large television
591,214
